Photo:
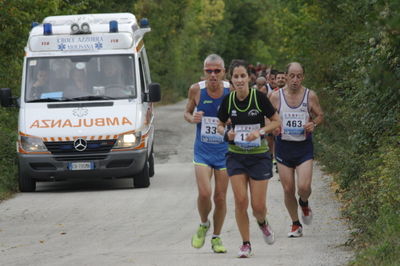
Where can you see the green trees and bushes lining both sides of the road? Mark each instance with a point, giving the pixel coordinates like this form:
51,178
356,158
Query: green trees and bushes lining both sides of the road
350,50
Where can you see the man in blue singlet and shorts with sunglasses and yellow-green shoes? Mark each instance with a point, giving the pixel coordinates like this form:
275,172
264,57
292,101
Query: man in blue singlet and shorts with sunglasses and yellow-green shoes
210,148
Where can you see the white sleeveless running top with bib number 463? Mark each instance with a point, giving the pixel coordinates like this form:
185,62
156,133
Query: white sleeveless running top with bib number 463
294,118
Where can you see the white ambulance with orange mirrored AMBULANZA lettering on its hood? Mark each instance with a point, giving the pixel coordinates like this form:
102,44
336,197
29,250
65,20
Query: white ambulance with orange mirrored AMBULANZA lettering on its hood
85,109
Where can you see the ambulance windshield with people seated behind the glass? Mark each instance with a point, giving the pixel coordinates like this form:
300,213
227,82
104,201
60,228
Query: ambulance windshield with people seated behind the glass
80,78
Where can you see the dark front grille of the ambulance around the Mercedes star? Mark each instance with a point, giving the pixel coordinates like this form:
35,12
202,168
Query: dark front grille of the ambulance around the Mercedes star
67,147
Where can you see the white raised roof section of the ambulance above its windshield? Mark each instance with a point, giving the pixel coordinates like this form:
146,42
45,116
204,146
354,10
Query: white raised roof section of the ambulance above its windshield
102,36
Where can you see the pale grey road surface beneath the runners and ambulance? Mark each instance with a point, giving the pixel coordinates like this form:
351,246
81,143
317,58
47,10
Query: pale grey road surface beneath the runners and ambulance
109,223
